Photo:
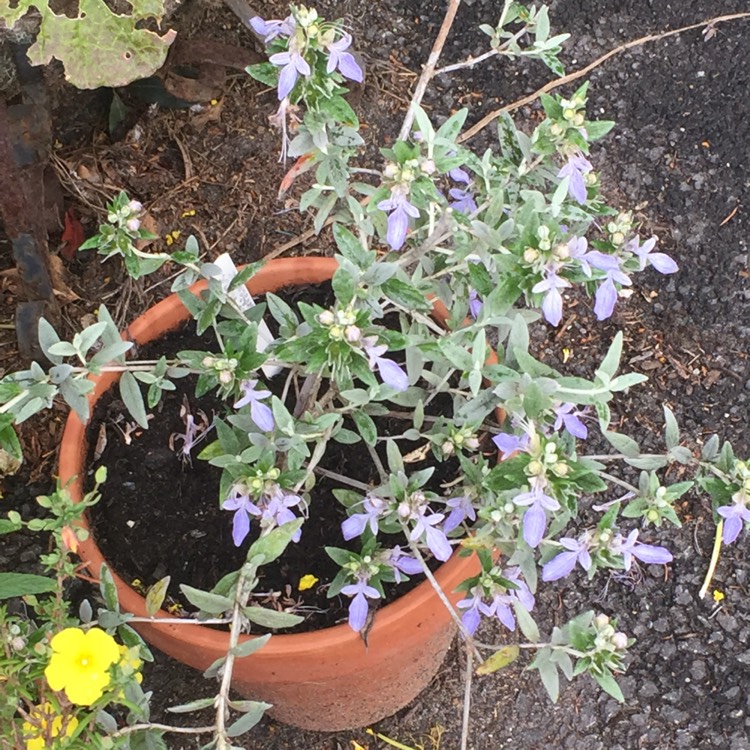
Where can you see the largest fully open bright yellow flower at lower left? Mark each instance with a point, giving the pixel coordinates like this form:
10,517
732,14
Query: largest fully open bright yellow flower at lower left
80,664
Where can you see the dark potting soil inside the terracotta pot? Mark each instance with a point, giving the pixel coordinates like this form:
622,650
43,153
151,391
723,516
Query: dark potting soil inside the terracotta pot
160,514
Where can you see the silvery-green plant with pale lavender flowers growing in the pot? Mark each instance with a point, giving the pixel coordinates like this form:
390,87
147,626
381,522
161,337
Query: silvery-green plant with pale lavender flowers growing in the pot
444,254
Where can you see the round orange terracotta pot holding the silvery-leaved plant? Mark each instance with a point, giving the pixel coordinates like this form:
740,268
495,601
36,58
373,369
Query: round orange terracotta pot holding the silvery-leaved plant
325,680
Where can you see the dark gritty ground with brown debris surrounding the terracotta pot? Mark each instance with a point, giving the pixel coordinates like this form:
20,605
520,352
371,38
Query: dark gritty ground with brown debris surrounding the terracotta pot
680,155
